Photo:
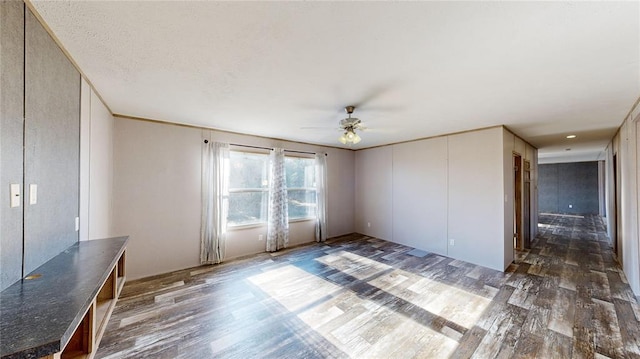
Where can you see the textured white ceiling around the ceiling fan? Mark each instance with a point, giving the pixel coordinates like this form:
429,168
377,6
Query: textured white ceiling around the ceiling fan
413,69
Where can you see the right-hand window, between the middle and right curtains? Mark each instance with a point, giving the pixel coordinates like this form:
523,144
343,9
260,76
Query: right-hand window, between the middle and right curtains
301,187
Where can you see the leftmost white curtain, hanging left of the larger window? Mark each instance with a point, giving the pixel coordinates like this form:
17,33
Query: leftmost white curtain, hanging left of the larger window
215,201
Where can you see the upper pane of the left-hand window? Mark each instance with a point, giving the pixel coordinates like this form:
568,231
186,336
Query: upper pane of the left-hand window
248,170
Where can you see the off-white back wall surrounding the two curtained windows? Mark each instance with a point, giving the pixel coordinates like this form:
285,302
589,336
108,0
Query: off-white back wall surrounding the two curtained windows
157,195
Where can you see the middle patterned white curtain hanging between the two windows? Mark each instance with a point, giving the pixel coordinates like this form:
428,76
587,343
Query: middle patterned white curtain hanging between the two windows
278,216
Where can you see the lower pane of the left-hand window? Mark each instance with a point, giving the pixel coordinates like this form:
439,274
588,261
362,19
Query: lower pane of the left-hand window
247,208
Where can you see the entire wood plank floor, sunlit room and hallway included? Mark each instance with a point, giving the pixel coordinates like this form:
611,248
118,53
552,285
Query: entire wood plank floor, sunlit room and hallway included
363,297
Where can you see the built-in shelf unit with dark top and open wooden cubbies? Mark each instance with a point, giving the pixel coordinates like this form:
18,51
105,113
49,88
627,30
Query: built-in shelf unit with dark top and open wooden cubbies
64,310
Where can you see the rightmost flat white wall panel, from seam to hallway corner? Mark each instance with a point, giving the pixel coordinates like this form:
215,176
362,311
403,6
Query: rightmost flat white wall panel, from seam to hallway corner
476,188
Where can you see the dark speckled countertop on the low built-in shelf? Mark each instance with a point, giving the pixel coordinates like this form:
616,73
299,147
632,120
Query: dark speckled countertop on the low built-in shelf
38,316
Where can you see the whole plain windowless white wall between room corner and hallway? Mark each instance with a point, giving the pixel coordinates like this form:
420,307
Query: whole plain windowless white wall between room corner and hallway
428,192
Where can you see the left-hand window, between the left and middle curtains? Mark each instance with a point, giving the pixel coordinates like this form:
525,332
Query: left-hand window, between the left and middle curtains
248,188
